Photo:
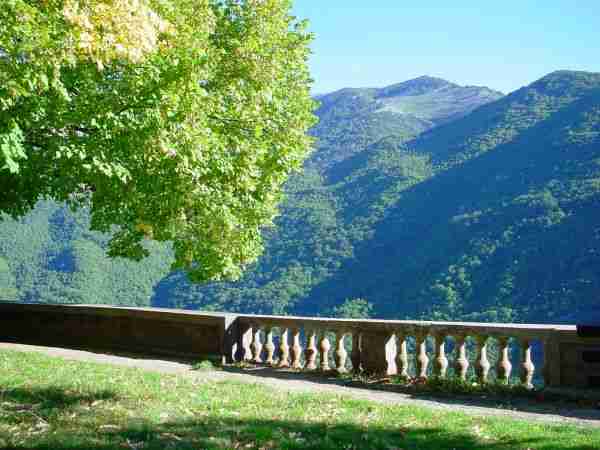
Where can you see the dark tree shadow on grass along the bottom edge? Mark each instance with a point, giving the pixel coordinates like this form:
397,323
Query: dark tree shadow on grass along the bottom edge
231,433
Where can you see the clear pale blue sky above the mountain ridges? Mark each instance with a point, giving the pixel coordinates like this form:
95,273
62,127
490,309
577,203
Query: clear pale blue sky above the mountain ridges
502,44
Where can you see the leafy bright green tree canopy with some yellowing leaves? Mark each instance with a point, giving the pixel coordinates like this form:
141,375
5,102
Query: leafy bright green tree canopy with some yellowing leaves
177,120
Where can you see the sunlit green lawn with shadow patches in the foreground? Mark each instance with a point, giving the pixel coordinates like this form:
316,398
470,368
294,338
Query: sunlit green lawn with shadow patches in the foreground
51,403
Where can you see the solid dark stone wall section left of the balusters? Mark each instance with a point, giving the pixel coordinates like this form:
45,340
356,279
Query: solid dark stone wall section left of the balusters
149,331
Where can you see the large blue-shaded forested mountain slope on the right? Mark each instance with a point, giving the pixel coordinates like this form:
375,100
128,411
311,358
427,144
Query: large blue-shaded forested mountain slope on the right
505,229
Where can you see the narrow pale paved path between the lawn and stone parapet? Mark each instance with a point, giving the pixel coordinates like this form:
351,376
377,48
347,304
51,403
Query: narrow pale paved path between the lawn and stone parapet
297,382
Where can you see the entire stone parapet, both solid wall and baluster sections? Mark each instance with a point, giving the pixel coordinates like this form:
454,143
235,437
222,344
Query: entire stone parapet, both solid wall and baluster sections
549,355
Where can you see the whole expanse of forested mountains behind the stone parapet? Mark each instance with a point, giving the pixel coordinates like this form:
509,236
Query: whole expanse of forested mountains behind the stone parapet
421,200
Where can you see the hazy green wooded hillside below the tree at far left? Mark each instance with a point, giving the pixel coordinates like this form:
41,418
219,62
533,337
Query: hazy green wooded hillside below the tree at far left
51,256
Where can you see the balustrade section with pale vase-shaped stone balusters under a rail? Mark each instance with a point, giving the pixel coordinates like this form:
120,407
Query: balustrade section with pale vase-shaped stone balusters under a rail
412,349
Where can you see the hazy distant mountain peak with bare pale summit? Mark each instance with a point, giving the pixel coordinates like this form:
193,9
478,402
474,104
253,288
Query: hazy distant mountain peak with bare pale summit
353,118
